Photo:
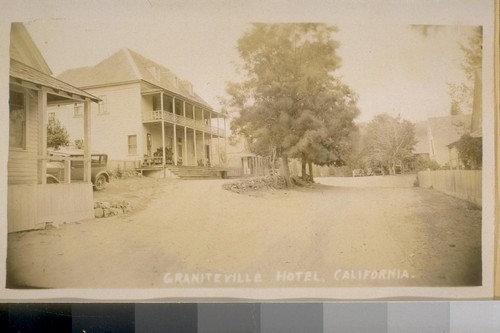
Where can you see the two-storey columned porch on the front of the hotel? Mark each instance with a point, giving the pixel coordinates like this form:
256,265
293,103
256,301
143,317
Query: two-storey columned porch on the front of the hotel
181,133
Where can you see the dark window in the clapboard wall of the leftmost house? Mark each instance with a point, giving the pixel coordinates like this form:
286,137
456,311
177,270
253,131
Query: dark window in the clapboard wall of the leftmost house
17,120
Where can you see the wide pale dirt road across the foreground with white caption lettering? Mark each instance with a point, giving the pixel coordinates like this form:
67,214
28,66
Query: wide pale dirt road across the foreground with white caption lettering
369,231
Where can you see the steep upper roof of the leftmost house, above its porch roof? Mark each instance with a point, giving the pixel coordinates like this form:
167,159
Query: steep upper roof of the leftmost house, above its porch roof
24,50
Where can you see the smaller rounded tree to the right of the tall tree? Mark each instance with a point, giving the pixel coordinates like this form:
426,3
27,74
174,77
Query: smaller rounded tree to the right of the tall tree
389,141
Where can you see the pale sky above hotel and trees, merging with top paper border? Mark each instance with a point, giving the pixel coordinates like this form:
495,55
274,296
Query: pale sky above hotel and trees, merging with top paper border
393,68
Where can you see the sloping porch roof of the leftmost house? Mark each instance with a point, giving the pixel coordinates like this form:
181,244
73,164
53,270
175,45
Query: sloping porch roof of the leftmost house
22,72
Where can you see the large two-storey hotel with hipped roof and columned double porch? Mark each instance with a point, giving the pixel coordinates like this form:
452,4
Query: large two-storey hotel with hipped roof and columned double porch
147,115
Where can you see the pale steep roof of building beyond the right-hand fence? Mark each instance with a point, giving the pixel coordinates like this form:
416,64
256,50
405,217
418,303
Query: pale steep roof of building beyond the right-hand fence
445,130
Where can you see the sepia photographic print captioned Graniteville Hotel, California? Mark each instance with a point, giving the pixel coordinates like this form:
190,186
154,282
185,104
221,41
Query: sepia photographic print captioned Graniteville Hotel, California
245,155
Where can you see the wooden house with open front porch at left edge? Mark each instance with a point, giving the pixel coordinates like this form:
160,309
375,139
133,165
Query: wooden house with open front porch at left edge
32,202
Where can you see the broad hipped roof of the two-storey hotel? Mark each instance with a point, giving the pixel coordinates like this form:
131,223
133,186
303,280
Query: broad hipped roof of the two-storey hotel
128,66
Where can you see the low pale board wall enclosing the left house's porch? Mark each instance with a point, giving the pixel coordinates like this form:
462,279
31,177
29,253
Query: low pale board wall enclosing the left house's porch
32,206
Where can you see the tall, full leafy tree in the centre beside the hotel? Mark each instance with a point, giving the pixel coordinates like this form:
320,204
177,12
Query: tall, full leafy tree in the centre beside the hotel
289,103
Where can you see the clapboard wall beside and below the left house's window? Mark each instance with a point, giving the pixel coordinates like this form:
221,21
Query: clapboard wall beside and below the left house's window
22,164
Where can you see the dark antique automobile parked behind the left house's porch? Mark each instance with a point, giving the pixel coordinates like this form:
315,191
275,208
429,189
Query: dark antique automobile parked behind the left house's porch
56,169
